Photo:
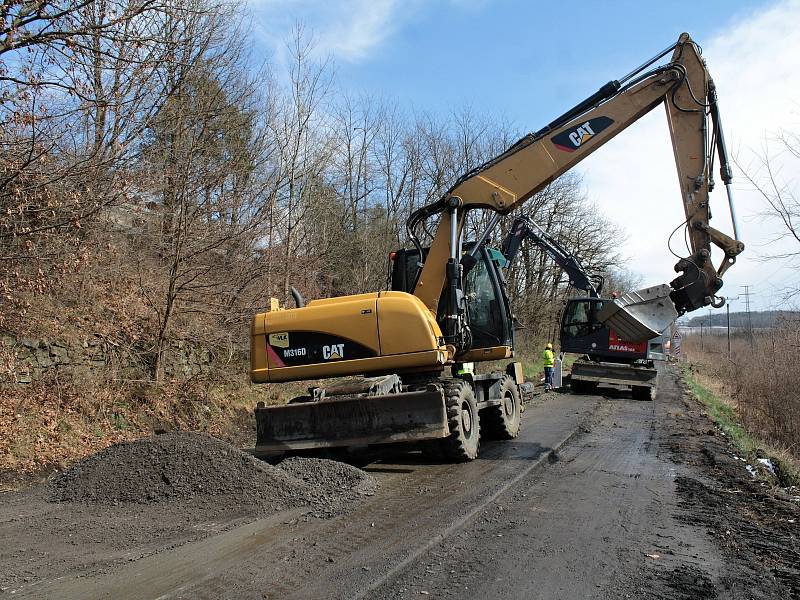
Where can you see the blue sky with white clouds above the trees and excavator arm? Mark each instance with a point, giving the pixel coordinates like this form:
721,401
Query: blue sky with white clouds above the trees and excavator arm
528,62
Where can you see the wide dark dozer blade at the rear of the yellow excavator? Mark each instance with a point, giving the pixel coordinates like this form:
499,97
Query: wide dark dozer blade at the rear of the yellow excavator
358,421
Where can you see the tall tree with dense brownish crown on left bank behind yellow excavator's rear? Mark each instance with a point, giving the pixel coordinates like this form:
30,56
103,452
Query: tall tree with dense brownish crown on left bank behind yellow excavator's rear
204,148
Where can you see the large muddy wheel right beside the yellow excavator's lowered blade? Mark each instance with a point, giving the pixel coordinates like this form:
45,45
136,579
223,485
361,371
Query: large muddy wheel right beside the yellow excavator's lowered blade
463,420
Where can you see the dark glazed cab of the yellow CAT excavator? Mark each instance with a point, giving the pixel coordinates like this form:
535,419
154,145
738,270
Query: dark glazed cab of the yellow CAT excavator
488,308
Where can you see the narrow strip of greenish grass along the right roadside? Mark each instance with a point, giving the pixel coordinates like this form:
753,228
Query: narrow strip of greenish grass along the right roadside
723,412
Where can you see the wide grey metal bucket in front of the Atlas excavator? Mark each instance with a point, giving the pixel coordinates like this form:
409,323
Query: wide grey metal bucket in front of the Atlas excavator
641,315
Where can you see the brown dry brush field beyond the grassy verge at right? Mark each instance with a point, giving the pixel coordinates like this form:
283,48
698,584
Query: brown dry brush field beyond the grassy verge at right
761,378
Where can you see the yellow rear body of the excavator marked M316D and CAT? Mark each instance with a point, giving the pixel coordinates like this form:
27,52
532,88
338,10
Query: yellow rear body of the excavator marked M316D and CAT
381,332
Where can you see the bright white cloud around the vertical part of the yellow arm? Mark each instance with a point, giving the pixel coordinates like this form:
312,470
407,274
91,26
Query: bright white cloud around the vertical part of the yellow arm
756,65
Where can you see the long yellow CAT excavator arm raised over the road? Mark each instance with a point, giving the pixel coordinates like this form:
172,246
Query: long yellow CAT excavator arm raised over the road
683,86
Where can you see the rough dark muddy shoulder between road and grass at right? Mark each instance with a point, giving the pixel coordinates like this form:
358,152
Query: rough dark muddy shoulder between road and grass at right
755,529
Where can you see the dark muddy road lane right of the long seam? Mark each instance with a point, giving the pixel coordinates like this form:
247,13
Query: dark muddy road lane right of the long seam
566,532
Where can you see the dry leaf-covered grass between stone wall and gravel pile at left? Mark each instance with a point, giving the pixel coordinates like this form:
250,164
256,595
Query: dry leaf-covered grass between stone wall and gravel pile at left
49,424
